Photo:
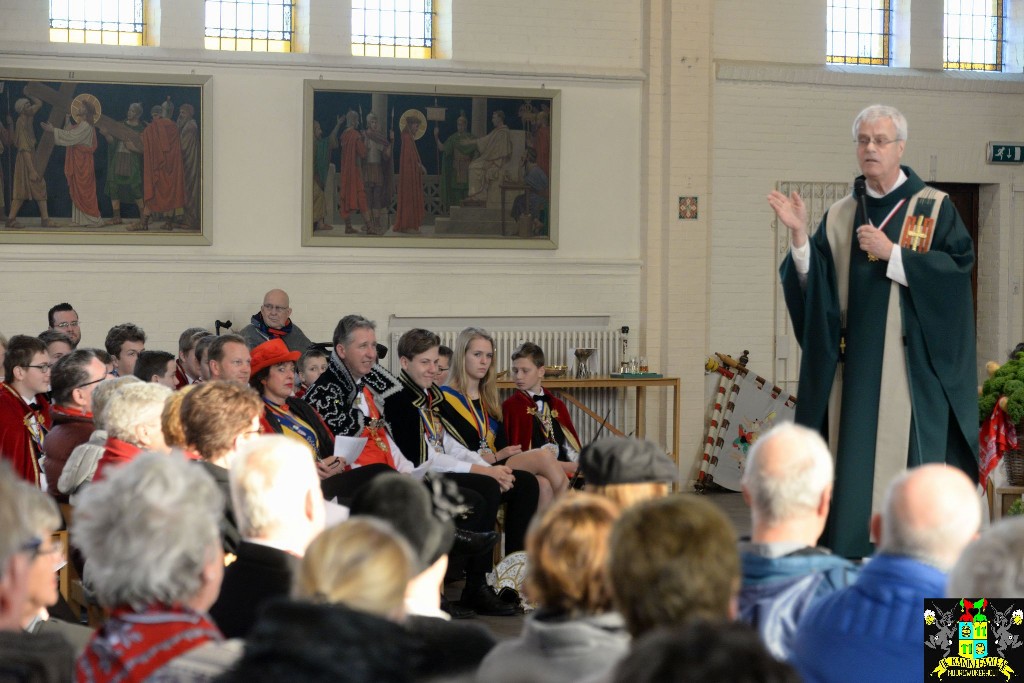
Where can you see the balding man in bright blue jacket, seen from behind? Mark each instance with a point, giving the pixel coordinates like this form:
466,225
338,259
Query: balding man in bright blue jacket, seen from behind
873,631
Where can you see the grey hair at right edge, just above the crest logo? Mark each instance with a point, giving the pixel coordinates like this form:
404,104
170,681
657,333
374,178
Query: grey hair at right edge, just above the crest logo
994,565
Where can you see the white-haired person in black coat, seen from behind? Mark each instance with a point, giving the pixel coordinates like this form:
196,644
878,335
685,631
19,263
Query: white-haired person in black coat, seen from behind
279,509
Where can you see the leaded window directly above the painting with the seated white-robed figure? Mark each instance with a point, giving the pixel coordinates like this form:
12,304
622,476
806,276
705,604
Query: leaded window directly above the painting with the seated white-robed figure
393,29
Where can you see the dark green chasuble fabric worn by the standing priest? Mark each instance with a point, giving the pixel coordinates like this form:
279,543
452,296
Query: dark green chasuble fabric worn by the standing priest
938,337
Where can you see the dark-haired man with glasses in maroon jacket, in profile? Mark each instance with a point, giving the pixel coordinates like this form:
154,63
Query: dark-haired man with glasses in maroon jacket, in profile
74,379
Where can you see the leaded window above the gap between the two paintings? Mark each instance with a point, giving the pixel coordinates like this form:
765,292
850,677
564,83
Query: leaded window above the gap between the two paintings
249,26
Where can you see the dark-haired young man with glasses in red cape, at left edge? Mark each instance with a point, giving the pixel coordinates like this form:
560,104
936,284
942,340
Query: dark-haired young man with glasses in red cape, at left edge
25,415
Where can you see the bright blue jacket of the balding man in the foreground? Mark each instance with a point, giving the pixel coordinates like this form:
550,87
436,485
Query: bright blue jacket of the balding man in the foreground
874,630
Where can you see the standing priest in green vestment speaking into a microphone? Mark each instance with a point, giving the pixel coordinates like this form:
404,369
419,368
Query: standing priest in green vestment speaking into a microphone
882,306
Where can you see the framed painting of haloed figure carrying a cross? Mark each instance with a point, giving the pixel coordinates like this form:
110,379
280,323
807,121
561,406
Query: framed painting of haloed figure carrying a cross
88,179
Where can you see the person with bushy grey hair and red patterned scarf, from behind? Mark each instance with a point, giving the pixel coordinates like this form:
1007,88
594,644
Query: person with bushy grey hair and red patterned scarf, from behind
150,536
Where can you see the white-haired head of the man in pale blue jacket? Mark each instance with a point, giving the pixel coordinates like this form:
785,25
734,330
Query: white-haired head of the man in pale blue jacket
788,469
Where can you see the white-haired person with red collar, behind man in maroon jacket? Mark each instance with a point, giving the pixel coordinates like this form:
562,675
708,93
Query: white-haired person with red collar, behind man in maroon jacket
134,424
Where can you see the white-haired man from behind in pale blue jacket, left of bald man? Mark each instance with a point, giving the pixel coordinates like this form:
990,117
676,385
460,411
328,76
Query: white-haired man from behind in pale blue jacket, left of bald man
788,486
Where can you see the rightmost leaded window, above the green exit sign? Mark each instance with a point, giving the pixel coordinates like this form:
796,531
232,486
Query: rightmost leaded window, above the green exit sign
973,35
